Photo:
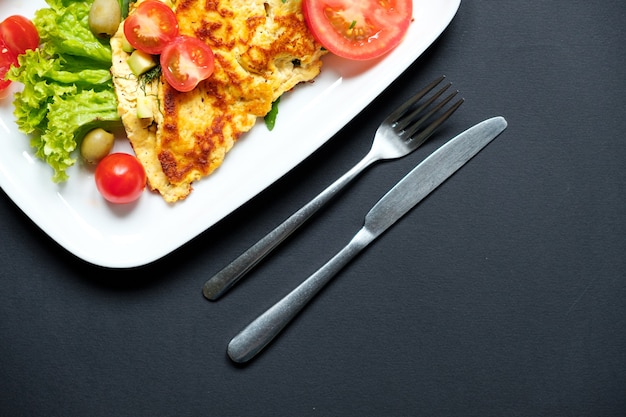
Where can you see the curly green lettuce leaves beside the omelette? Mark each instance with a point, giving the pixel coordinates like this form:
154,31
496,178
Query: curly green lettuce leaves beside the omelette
67,84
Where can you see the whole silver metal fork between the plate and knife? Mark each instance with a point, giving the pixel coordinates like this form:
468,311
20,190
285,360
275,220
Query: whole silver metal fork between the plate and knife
403,131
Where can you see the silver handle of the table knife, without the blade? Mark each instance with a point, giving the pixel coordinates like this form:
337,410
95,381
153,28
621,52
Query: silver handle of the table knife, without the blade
260,332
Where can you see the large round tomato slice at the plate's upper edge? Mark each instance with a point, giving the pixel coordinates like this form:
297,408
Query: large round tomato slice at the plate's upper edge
359,30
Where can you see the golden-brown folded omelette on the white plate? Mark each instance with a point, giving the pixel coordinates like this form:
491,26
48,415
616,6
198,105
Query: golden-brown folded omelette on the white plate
262,49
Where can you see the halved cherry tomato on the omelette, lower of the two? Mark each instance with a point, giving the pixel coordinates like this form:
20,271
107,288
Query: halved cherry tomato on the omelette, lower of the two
187,61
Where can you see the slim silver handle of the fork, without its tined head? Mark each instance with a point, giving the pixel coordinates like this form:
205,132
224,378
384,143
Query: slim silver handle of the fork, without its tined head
221,282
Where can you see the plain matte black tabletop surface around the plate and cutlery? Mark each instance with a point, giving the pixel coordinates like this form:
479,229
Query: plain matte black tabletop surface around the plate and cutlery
502,294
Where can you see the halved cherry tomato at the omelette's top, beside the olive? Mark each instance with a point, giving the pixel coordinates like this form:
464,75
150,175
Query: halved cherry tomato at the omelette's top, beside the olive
151,27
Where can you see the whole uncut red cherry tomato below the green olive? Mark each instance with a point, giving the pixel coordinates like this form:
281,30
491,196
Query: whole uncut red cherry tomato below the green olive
120,178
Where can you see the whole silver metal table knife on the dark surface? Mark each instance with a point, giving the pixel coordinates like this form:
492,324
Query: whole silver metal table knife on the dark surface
416,185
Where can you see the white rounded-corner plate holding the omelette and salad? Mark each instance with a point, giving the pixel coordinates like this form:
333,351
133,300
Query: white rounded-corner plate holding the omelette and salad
75,216
